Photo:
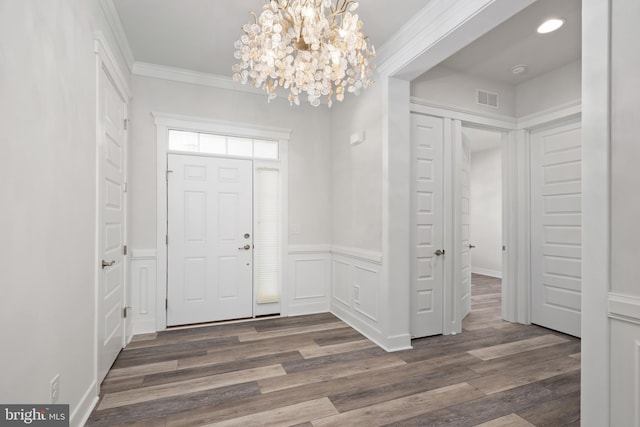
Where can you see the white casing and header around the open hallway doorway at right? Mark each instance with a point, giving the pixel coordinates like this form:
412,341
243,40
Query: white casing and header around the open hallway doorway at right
516,190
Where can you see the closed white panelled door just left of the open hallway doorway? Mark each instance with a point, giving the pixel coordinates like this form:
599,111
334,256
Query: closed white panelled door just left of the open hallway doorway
427,257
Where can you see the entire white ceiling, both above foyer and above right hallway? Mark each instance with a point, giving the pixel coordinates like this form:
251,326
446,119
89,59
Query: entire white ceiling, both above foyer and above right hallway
199,35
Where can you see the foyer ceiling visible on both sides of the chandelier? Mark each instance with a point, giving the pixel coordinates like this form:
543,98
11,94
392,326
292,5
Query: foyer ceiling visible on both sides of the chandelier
199,34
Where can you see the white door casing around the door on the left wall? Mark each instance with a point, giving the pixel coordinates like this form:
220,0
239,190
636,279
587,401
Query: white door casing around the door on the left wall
106,61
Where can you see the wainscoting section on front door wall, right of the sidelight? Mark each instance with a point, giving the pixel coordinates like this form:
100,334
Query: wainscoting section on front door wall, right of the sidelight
309,272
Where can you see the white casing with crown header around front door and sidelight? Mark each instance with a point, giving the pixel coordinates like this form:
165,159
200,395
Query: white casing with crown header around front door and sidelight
164,122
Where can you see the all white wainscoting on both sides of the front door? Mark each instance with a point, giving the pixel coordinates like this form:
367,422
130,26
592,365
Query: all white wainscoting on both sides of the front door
345,282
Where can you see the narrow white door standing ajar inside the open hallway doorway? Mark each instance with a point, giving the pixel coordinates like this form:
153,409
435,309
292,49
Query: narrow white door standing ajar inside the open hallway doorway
464,290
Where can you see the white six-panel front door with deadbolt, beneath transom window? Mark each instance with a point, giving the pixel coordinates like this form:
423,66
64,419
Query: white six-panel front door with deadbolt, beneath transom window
210,239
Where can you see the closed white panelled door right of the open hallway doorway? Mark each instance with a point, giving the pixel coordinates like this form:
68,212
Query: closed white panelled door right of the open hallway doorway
556,228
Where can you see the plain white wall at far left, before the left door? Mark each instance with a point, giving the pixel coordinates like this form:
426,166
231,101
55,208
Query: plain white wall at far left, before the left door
48,187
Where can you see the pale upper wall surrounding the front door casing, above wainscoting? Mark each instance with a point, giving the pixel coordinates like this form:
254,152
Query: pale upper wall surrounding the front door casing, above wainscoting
309,151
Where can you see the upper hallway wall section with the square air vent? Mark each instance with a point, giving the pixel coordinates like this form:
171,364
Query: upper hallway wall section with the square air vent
444,86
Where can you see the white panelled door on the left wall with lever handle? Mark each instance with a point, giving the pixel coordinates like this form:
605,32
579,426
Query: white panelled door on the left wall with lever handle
112,151
